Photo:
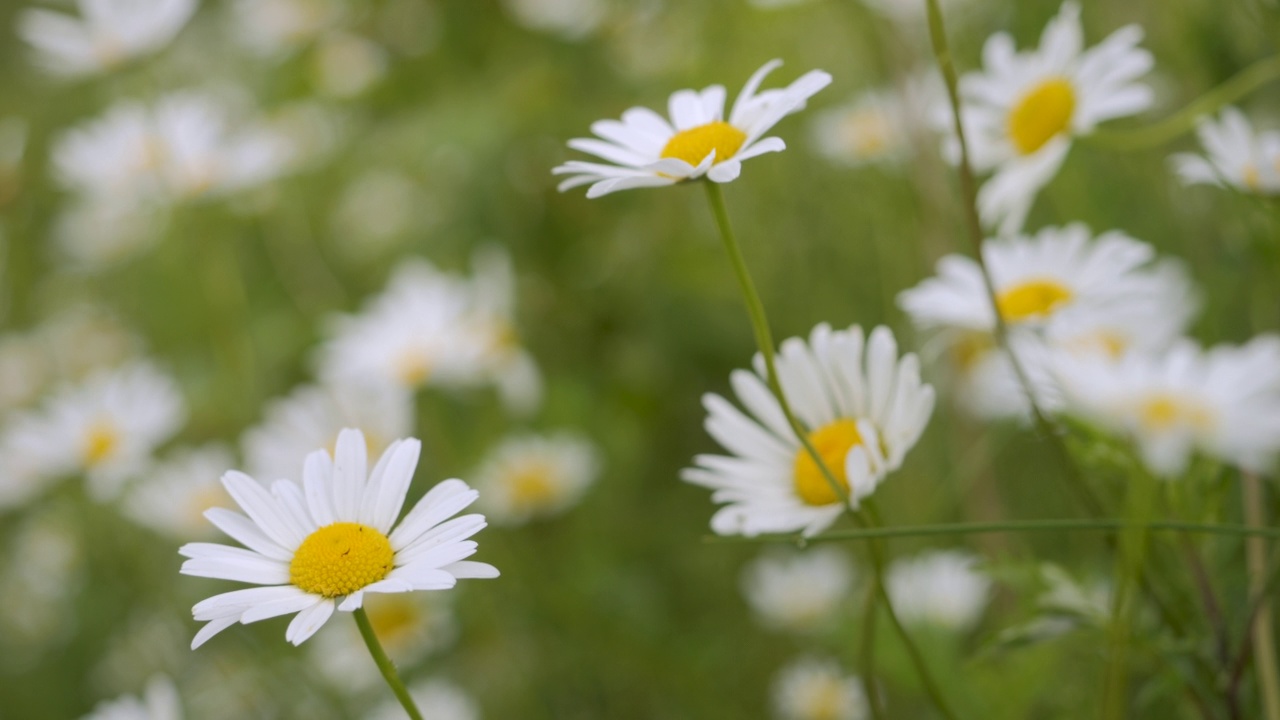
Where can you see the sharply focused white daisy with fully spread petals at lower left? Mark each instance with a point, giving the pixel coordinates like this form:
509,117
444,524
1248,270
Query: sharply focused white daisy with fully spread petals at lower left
323,544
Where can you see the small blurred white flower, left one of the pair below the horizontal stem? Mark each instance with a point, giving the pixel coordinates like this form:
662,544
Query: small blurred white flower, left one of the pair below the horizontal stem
798,591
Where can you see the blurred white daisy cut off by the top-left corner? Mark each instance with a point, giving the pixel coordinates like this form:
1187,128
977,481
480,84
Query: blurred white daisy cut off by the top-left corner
107,35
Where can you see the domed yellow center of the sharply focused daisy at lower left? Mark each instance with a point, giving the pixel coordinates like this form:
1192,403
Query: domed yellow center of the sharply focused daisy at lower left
341,559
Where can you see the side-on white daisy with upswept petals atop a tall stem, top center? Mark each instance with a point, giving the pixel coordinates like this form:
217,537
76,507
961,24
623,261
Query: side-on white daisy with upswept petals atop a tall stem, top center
646,151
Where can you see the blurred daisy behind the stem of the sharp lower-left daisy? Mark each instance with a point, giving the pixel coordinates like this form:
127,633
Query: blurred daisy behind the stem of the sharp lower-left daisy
409,626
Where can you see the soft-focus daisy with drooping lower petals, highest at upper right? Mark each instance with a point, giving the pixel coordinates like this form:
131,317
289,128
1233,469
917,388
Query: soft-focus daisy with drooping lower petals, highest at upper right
1023,111
